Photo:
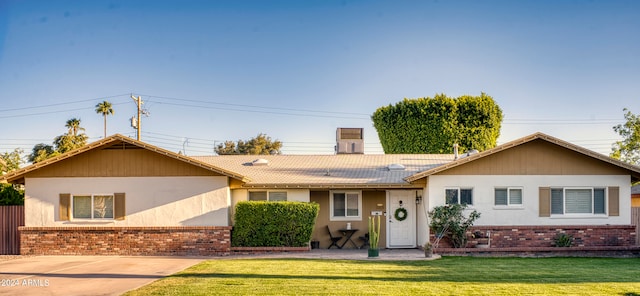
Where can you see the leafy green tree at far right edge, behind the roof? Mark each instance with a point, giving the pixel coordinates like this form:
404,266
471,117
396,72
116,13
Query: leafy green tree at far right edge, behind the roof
628,149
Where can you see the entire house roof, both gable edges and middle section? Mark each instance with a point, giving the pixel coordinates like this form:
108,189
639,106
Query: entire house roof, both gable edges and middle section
324,171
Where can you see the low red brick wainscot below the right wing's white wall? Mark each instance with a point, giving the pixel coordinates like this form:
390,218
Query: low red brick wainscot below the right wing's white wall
543,236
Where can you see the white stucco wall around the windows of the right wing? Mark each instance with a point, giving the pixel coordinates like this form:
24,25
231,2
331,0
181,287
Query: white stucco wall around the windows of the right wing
528,214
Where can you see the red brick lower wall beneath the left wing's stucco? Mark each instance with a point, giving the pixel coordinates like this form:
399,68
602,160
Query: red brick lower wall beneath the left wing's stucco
145,241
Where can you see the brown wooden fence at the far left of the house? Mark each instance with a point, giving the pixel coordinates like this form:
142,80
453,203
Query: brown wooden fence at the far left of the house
11,217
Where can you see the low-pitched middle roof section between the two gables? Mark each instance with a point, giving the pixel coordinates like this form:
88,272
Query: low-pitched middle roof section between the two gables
328,171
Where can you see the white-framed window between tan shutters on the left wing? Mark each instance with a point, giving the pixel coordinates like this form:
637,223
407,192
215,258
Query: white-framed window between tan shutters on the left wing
92,206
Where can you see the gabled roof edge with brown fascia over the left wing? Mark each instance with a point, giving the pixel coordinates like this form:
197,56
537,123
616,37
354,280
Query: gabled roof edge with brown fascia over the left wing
106,142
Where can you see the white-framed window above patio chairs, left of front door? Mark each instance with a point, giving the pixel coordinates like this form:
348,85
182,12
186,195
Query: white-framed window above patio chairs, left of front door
345,205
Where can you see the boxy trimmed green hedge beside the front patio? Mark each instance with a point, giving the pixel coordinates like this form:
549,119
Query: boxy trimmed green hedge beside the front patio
274,224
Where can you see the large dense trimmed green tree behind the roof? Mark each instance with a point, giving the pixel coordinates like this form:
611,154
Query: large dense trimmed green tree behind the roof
434,125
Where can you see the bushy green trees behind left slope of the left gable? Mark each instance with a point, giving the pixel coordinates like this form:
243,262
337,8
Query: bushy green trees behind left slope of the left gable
73,139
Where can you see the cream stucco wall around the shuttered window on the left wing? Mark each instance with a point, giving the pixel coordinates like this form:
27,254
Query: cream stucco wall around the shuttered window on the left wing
150,201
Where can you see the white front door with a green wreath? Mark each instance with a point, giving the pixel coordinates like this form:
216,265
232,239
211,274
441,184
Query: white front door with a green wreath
401,233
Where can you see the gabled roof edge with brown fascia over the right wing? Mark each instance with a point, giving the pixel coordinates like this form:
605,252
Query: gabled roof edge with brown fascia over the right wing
634,170
